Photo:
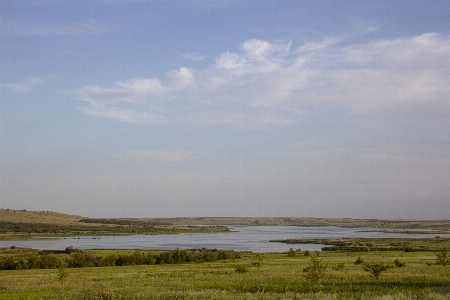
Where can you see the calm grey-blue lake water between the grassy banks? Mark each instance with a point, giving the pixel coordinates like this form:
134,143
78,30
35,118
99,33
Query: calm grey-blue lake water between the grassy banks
247,238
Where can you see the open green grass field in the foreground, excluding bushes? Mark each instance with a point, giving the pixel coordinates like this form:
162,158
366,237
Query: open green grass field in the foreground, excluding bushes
279,277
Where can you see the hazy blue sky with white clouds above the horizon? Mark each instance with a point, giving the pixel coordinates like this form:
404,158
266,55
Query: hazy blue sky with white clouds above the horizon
112,108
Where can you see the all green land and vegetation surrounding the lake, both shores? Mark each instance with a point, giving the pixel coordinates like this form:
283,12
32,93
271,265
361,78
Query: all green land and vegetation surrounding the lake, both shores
416,273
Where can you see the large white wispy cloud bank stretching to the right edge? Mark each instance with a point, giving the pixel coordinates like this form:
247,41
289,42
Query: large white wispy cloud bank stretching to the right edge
268,83
